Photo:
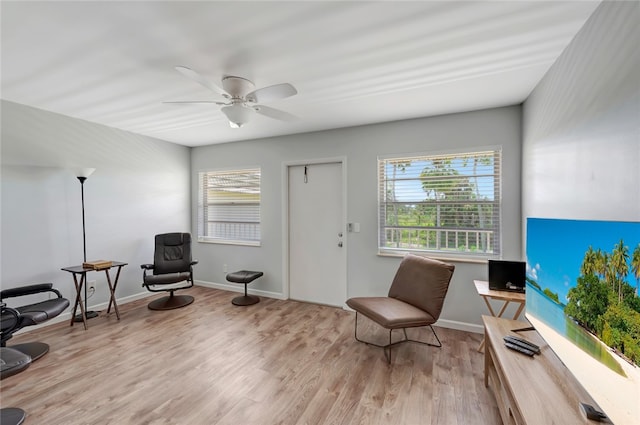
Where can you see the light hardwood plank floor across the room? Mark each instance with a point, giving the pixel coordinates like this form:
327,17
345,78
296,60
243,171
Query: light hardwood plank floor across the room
276,362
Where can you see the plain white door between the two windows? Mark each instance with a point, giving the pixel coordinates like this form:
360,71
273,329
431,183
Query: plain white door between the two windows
317,256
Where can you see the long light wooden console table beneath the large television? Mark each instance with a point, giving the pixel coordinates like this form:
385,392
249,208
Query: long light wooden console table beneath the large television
530,390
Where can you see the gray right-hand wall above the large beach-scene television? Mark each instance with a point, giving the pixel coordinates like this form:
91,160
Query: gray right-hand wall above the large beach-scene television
581,124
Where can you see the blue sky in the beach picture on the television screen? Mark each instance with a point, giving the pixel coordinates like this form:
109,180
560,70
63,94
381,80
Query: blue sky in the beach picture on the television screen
556,248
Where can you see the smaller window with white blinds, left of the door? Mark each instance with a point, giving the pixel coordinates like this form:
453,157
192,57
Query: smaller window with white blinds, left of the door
229,207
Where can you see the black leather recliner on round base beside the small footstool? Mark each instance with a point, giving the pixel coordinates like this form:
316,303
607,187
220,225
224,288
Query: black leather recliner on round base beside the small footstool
172,270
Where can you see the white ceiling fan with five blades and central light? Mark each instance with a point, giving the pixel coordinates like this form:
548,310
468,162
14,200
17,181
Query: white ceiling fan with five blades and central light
241,97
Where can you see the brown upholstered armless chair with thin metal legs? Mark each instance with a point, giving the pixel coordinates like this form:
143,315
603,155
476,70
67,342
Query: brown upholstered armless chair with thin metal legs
415,299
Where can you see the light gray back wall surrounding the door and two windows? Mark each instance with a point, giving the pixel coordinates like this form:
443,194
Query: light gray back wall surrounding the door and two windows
367,273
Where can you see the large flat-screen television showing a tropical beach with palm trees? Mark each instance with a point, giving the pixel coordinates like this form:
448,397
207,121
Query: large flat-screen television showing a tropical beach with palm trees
582,297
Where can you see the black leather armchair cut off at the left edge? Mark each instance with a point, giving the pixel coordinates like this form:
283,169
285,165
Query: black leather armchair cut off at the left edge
14,319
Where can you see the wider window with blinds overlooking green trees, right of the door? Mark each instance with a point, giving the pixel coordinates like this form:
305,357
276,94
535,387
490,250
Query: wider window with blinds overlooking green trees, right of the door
447,204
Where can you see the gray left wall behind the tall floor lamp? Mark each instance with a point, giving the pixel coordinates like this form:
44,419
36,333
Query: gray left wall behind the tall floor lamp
140,188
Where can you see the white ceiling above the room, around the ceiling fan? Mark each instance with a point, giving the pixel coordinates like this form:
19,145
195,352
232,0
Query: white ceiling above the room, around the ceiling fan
353,63
